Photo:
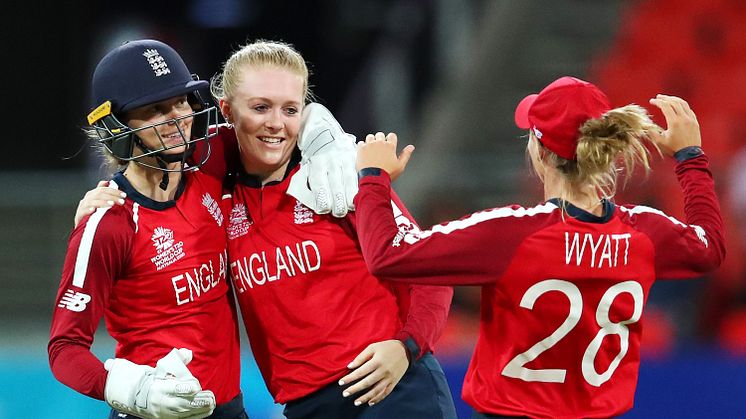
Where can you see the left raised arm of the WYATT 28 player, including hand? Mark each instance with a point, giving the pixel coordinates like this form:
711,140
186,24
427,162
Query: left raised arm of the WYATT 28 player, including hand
469,251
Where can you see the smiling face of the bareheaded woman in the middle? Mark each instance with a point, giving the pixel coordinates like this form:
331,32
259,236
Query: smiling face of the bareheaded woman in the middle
265,110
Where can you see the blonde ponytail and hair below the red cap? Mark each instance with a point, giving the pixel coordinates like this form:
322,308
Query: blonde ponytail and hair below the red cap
613,144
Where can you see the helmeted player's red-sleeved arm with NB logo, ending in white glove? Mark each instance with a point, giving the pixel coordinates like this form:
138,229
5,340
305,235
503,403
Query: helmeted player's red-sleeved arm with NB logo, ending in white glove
98,250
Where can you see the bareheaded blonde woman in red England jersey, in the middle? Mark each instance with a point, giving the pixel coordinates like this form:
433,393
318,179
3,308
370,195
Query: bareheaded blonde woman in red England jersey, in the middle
316,318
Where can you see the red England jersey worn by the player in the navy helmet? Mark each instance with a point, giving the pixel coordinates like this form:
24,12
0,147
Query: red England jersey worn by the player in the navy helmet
157,273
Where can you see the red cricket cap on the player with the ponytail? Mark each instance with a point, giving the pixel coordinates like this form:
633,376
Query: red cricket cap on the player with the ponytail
556,114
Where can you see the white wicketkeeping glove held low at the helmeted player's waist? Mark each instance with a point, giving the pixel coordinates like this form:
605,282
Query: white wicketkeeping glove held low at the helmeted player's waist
167,391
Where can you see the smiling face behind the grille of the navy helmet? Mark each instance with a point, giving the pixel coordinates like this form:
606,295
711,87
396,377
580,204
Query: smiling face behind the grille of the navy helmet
173,135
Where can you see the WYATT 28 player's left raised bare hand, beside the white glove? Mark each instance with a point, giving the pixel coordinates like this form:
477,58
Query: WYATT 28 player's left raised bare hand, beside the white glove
380,151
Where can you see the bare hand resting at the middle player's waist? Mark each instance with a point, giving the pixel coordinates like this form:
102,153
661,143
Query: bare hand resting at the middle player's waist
378,368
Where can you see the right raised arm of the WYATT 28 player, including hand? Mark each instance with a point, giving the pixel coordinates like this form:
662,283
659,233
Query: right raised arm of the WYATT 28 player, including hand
698,245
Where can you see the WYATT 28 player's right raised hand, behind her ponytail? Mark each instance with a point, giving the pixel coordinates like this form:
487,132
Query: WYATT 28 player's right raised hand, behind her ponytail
683,127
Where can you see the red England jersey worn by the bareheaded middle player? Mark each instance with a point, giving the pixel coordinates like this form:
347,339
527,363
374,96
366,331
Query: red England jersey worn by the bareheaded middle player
308,302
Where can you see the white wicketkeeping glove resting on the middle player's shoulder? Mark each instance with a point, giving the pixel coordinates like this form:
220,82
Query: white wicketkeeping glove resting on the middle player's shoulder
327,180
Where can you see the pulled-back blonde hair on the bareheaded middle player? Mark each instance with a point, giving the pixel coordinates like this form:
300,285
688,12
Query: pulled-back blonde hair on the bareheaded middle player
260,53
